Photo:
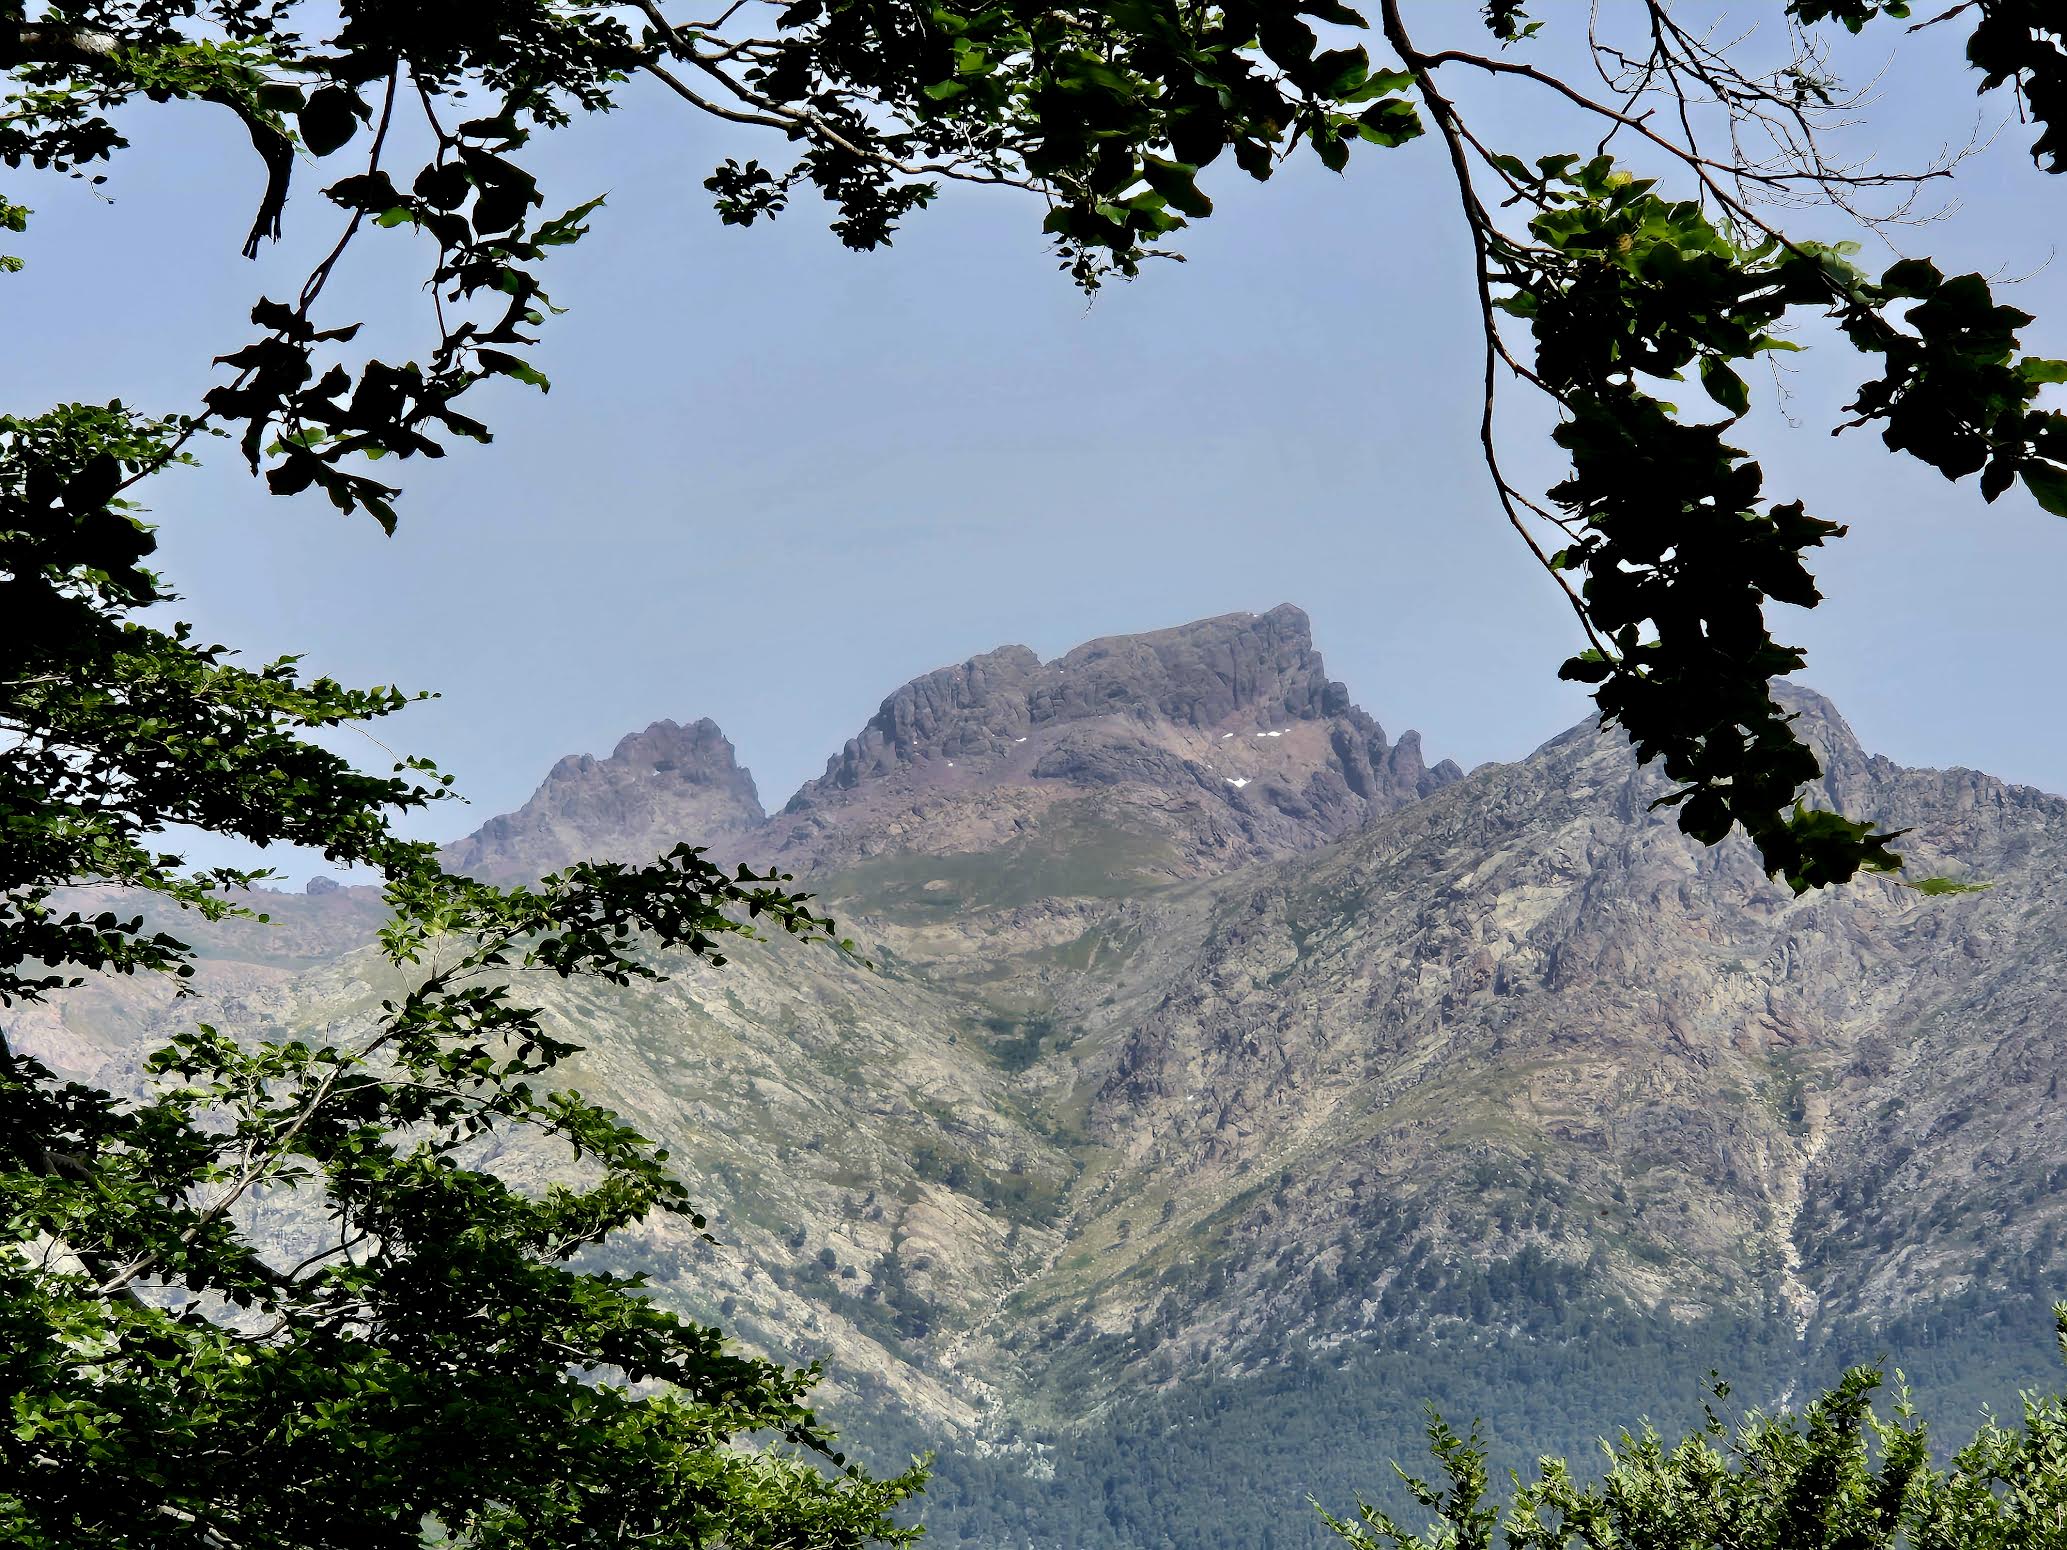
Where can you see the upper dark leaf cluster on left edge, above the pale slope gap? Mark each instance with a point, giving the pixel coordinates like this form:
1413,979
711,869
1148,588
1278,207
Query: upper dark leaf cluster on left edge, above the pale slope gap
123,731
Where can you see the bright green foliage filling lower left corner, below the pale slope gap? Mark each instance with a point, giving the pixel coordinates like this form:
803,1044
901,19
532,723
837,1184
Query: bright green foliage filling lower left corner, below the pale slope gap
421,1351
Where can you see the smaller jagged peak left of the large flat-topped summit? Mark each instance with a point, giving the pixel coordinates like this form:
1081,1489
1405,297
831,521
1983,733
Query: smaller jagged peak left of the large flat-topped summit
660,788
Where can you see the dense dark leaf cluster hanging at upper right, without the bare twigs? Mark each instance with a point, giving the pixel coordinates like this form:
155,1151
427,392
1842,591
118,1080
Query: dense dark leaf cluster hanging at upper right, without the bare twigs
1673,538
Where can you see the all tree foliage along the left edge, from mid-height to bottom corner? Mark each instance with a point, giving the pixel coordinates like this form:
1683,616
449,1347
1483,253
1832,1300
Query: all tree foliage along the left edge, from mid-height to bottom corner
290,1293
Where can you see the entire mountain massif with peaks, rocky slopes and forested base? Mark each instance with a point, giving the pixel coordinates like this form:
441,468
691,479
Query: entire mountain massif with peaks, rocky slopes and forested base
1190,1134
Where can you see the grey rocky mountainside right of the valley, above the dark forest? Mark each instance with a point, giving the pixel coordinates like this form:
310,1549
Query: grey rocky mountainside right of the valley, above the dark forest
1526,1016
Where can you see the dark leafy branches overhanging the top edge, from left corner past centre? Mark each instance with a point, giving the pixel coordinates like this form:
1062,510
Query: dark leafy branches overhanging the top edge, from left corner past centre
1105,117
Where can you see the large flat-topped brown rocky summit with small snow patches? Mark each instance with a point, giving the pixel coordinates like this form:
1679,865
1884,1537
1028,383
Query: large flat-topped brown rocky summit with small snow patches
1227,728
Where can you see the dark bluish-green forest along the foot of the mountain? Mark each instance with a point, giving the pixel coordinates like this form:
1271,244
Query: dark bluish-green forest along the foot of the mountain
1241,1460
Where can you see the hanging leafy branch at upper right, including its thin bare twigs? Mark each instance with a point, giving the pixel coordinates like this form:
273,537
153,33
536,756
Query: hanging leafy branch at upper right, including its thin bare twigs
1665,524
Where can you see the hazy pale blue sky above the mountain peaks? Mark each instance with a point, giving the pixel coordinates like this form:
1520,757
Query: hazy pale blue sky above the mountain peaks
774,480
